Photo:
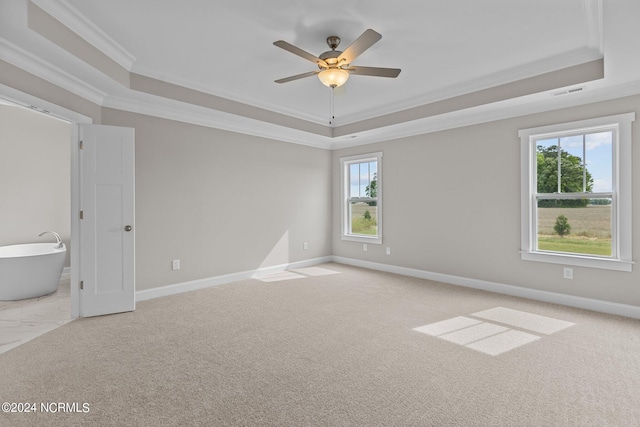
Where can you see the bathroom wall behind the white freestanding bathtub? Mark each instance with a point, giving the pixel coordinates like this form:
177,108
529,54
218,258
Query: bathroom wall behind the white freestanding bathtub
34,177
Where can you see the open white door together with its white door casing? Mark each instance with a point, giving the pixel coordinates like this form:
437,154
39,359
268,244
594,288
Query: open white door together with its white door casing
106,150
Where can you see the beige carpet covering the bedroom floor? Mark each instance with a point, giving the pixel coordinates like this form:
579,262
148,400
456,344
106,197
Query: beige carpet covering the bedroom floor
329,350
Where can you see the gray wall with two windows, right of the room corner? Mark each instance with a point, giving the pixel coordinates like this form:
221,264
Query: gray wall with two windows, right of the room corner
452,206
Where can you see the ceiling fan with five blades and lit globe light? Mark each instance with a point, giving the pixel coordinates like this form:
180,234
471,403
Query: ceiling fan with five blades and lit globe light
334,65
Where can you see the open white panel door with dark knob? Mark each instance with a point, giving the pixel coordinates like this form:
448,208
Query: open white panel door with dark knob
107,229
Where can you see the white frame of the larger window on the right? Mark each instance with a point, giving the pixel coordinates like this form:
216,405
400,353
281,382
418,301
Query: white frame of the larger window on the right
621,232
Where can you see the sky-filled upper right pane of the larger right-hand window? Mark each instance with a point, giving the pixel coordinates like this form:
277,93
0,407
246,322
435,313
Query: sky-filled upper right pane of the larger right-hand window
600,160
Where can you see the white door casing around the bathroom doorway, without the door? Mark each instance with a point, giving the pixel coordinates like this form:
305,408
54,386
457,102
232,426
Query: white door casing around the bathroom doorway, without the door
74,119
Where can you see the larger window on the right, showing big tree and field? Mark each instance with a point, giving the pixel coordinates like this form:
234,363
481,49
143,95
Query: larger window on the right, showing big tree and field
576,193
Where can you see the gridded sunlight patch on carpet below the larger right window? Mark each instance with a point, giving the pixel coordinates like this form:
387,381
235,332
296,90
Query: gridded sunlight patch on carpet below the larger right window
490,338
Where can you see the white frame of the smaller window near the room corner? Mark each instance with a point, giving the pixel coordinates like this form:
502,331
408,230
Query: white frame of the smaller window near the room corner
345,163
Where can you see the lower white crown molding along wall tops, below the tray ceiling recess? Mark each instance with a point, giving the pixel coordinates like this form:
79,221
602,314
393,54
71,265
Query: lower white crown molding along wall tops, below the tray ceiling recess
169,109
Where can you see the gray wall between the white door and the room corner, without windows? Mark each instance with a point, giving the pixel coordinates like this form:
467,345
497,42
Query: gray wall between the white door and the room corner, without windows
222,202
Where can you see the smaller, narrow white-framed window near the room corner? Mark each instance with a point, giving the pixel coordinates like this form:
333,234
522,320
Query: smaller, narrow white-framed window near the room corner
362,198
